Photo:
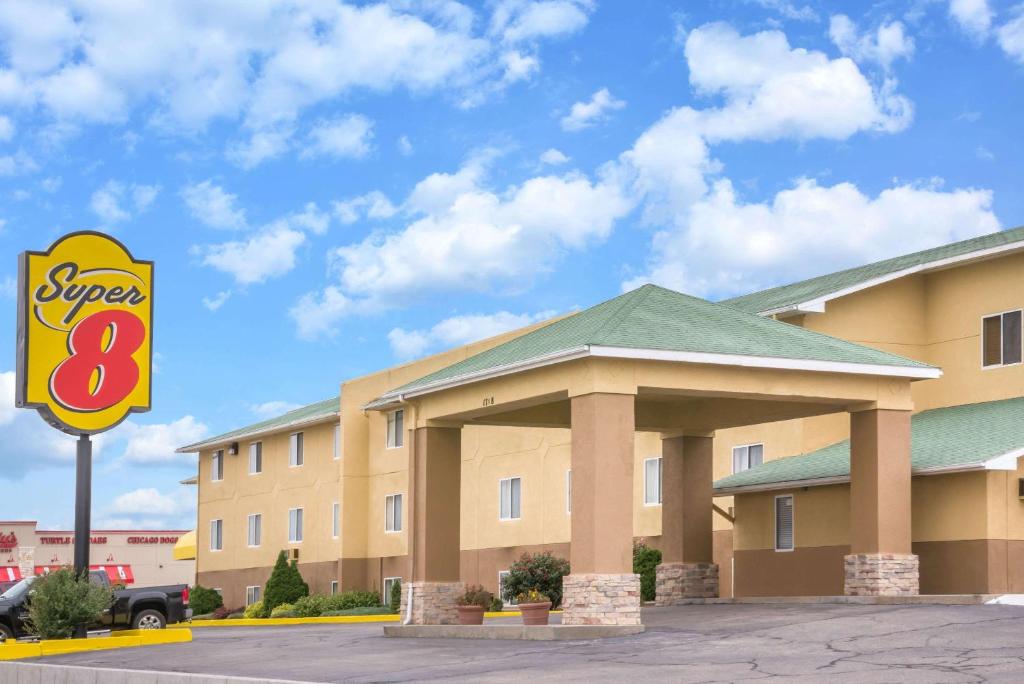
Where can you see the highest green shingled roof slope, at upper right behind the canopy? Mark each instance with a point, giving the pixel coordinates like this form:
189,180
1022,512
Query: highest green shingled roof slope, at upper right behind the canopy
805,291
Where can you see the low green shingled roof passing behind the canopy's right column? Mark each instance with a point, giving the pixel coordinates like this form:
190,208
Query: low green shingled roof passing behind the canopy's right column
954,438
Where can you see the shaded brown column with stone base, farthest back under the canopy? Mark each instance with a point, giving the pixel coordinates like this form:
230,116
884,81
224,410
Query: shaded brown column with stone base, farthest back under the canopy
688,570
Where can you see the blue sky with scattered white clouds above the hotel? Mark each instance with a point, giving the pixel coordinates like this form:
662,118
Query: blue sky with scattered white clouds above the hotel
331,189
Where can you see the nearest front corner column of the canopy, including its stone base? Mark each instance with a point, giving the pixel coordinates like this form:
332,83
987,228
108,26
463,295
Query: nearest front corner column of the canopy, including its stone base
603,588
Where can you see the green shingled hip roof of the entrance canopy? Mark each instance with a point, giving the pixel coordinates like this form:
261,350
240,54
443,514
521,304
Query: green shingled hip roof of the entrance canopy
654,318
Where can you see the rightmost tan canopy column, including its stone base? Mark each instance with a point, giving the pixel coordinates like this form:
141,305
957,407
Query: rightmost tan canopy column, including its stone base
881,562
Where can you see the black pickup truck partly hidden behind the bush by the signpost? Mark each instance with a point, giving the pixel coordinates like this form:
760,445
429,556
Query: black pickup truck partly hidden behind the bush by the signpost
146,609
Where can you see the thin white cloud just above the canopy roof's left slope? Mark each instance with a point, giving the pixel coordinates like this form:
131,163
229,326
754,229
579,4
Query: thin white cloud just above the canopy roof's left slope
459,330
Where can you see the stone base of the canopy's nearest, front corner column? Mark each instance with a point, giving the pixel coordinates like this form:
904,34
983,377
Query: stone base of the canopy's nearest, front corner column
602,600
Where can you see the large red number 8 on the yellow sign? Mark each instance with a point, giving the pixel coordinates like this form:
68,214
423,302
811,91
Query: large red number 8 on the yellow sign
71,382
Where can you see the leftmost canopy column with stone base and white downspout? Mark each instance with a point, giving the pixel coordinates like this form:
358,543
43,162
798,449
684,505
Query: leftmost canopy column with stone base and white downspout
435,527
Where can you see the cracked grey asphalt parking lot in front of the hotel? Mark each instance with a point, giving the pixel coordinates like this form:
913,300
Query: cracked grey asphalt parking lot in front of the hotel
714,644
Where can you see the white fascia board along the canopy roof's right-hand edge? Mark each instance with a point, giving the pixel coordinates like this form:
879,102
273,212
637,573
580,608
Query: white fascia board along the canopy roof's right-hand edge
767,363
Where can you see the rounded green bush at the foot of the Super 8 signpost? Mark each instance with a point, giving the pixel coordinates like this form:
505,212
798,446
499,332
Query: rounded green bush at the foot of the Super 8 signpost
62,602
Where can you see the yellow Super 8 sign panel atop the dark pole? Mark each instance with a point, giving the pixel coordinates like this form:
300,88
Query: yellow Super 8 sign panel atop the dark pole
86,326
